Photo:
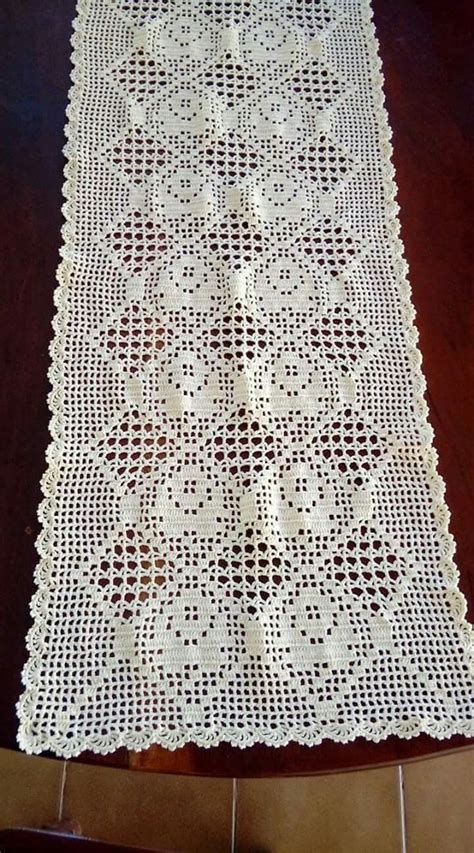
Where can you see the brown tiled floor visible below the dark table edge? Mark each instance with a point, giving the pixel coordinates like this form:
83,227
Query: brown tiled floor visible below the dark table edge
343,813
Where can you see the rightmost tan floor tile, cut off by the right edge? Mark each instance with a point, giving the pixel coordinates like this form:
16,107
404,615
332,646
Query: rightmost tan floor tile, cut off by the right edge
439,804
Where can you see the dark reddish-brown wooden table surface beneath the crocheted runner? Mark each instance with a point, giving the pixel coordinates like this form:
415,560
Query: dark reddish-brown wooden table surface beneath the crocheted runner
425,45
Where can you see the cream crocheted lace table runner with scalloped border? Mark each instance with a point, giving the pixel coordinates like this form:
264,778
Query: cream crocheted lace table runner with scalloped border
244,533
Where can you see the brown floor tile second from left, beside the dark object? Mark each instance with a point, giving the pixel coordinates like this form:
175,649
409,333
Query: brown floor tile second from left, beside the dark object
184,813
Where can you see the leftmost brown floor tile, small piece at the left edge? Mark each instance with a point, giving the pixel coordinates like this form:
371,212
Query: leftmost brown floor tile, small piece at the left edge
29,789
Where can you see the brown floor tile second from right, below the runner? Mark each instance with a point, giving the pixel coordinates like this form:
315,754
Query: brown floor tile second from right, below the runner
342,813
